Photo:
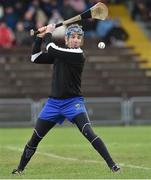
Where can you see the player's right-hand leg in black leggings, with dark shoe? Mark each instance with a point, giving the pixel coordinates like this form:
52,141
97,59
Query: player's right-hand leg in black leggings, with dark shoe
85,128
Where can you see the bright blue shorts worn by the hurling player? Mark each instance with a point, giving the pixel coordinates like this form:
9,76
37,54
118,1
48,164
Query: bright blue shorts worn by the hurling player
57,110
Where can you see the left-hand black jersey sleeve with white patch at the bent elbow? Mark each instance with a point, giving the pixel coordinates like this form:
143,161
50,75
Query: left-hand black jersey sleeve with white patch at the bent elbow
38,56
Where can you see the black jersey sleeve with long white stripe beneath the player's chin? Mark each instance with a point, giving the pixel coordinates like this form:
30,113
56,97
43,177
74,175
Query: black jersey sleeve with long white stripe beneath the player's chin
72,56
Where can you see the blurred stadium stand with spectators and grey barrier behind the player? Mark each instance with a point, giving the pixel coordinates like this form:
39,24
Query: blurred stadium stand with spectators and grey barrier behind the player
116,80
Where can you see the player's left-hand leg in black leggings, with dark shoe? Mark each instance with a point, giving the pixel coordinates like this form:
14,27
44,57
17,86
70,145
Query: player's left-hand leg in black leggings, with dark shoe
41,129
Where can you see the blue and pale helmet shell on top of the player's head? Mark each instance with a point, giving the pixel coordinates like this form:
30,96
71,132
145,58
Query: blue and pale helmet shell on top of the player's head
74,28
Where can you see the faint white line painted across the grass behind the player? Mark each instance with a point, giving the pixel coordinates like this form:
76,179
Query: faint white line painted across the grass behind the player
75,159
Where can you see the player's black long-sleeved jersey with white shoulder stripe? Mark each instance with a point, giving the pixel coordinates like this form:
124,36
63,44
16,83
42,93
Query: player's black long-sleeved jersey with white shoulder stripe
67,67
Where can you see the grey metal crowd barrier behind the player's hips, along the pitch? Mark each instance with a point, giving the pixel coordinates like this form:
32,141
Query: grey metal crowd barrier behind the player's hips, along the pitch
102,111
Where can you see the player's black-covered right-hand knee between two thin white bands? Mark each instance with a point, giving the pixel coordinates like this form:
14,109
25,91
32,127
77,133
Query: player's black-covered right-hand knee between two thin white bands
88,132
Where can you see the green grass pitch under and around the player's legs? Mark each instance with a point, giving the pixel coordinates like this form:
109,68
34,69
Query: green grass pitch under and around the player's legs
65,154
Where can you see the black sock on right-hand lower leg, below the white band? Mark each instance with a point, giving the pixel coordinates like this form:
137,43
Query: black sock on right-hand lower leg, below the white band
102,150
